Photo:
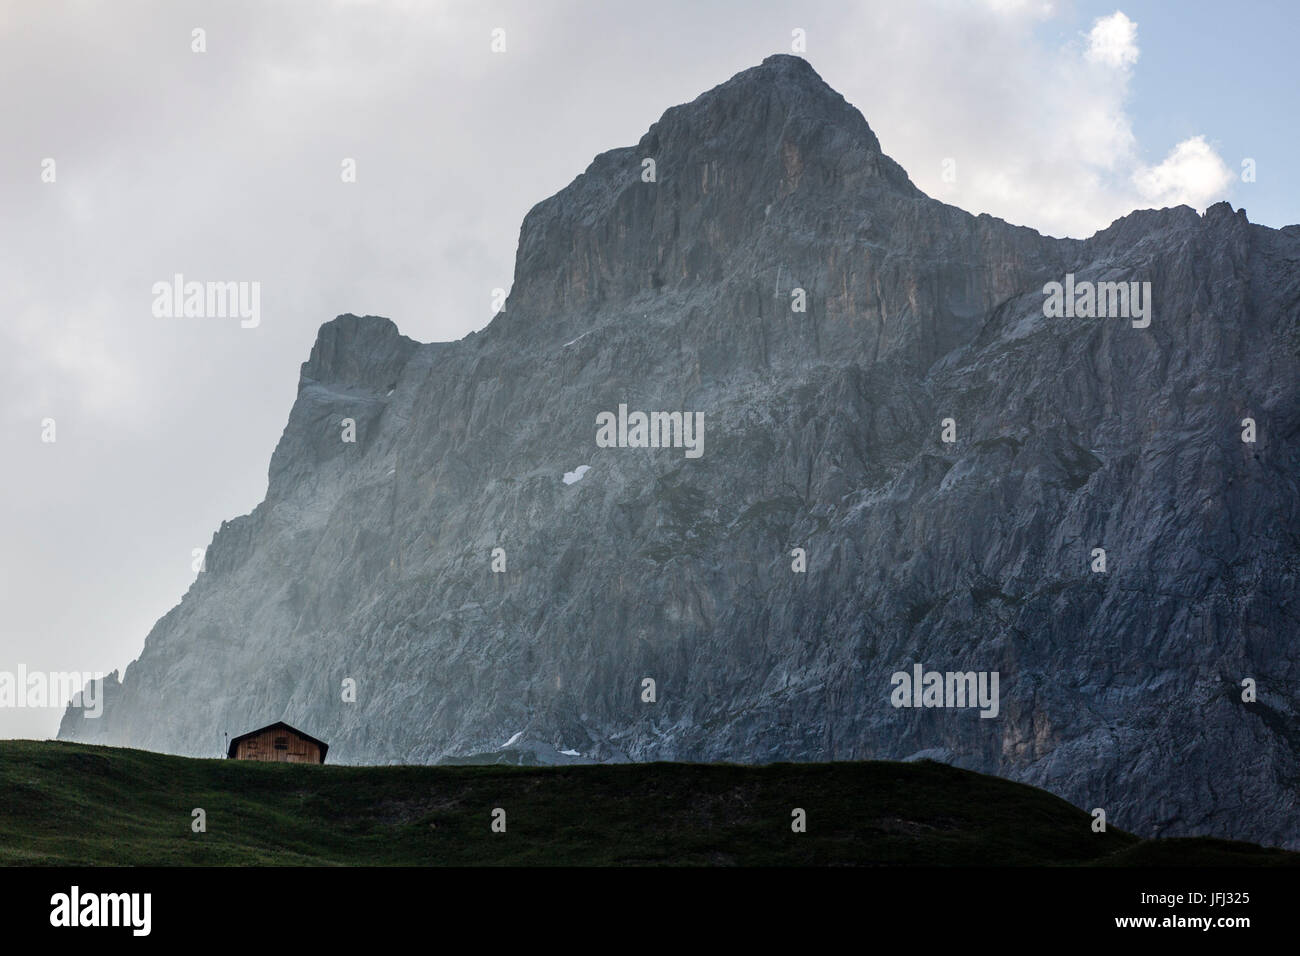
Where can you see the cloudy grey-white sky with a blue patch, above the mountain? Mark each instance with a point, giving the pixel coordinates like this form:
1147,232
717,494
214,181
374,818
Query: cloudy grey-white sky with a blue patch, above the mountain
131,157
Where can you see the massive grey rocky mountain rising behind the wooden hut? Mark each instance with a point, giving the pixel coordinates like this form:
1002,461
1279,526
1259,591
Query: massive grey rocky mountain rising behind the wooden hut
825,431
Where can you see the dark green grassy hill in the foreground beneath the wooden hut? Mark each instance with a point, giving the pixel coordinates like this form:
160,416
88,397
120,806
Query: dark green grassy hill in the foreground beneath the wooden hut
76,804
